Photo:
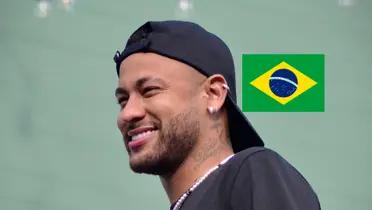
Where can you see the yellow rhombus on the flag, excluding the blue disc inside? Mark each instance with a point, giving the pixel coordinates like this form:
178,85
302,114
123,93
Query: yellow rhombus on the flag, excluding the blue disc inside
304,83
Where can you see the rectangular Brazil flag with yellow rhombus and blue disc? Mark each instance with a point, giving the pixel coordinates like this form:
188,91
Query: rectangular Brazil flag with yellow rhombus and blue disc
283,83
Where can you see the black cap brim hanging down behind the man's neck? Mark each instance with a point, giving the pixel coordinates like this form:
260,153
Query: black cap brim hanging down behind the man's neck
242,133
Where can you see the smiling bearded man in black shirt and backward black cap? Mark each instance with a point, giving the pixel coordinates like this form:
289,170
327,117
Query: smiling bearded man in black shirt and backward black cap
179,120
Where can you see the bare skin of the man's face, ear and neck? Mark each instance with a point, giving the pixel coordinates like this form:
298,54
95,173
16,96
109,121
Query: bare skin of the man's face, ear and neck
172,98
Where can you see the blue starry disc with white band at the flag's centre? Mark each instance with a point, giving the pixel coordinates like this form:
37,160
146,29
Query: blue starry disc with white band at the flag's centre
283,83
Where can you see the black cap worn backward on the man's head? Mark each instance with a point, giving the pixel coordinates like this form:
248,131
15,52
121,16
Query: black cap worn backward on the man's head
191,44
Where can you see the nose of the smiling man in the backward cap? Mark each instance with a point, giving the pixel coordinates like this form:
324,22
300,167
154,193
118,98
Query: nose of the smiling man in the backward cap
132,112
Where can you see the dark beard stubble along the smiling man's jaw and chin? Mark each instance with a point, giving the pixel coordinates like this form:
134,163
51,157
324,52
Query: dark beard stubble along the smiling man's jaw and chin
176,141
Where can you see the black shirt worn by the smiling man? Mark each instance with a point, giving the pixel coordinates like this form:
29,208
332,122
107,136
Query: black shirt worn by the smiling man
254,179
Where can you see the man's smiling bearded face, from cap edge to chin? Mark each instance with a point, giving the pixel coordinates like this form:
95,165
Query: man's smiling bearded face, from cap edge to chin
160,104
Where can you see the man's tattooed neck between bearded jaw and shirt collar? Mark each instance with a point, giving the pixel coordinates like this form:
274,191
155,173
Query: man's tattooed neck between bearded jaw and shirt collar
194,167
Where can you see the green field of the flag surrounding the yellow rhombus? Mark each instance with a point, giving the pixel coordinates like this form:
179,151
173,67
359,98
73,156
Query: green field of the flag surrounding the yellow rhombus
254,100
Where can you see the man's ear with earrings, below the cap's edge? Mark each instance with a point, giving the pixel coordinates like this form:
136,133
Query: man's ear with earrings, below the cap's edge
216,89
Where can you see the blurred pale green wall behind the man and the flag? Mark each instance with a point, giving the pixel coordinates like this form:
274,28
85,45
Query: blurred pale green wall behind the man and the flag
59,146
